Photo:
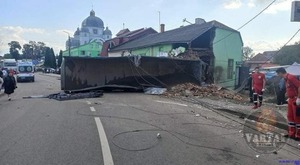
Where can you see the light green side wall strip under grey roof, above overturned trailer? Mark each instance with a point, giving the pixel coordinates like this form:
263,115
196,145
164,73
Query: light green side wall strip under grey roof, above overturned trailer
152,51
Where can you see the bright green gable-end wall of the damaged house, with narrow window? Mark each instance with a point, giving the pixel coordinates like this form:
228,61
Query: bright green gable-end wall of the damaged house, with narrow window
224,49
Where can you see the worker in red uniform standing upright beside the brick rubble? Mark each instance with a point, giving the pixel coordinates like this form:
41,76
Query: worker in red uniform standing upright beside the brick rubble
258,87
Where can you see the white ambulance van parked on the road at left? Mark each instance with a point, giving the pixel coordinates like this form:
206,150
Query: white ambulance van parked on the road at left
25,71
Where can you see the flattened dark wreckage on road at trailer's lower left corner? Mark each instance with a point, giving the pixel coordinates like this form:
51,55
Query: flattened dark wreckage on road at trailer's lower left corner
68,96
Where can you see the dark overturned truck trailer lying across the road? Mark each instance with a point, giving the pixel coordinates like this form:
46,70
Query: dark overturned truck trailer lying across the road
133,72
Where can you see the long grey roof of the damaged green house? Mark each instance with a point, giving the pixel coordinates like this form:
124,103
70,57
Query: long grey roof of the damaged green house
184,34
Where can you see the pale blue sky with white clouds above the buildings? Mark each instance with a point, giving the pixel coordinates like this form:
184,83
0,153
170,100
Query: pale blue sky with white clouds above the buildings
46,20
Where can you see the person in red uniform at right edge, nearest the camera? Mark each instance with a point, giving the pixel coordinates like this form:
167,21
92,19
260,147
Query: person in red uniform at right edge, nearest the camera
293,93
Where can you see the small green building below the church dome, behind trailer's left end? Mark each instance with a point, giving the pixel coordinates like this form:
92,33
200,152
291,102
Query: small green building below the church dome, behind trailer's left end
92,49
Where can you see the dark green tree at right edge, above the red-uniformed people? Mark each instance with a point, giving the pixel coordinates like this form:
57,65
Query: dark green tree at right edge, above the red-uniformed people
288,55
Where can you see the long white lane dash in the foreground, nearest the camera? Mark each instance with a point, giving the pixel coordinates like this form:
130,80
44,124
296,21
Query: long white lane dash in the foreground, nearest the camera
107,157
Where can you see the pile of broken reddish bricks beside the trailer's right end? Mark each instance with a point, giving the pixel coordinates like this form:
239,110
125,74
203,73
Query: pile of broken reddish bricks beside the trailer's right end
189,89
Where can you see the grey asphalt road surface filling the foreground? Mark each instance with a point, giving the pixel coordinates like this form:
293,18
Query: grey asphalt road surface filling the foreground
43,131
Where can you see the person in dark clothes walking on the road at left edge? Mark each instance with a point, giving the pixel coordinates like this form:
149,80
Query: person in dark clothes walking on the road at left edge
9,84
